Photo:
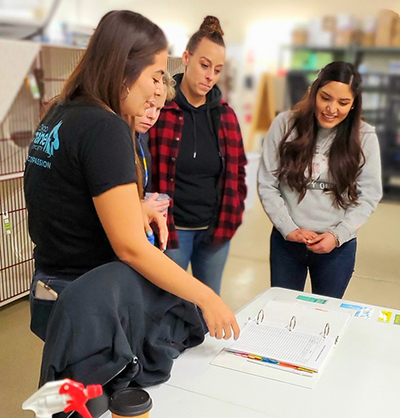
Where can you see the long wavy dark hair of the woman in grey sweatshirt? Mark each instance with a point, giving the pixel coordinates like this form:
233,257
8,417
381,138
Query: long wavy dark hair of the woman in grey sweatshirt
346,158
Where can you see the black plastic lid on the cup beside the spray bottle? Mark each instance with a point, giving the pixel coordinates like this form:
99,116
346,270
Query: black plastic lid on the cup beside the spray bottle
130,402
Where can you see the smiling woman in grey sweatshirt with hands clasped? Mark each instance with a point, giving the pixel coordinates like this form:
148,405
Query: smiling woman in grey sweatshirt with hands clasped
319,180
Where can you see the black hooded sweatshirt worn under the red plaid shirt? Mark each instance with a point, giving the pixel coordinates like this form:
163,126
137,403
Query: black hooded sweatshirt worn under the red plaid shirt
199,162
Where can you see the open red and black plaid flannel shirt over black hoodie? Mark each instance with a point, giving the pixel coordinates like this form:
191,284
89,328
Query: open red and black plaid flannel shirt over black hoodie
164,141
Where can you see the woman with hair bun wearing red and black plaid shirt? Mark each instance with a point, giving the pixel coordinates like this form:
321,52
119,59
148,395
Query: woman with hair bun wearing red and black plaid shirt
198,159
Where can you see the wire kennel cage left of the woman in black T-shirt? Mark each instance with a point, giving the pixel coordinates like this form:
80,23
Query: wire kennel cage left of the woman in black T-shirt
50,69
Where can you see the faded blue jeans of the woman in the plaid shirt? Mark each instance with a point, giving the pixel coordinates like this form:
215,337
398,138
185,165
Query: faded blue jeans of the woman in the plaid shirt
207,260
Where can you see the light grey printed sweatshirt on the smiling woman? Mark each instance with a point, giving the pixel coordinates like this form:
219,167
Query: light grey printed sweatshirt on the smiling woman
316,211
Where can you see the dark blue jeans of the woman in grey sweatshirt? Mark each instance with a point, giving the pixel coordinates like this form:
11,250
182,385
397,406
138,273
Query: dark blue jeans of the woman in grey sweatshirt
330,273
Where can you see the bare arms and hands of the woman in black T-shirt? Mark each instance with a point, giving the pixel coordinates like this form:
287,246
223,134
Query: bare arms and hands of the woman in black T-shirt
123,218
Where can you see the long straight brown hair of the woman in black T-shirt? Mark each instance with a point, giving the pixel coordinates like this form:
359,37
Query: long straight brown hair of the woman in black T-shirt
122,46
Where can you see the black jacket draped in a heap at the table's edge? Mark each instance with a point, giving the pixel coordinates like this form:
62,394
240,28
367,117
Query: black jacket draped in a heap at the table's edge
113,324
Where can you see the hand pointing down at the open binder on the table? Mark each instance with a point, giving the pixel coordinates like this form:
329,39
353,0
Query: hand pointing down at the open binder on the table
220,320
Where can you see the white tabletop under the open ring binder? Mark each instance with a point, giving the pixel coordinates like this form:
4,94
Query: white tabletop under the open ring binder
361,377
